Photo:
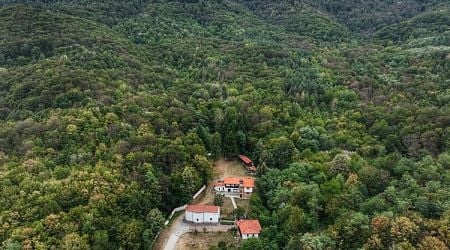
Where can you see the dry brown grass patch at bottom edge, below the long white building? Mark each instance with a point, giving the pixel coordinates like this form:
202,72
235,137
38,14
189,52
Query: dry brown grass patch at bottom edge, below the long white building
205,240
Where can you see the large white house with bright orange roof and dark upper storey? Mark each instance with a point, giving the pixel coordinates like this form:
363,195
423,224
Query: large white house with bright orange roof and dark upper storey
241,187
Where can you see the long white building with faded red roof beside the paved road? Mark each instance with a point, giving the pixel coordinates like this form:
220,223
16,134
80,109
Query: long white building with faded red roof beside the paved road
202,214
